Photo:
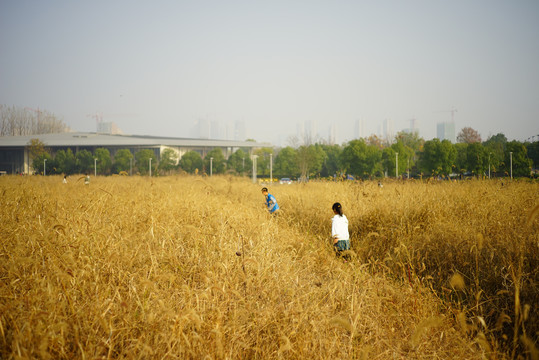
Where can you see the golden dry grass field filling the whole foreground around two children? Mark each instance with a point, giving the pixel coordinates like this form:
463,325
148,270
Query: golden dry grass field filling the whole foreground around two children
195,268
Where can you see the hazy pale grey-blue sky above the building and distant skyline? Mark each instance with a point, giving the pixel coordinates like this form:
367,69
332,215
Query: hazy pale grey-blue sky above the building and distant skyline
155,67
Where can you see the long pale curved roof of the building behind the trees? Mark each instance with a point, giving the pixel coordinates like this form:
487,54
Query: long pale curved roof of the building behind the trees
98,139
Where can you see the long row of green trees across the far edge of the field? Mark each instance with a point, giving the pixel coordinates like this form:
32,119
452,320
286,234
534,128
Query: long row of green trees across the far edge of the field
366,158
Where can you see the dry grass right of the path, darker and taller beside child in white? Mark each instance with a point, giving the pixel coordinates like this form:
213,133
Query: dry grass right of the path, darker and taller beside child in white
485,231
